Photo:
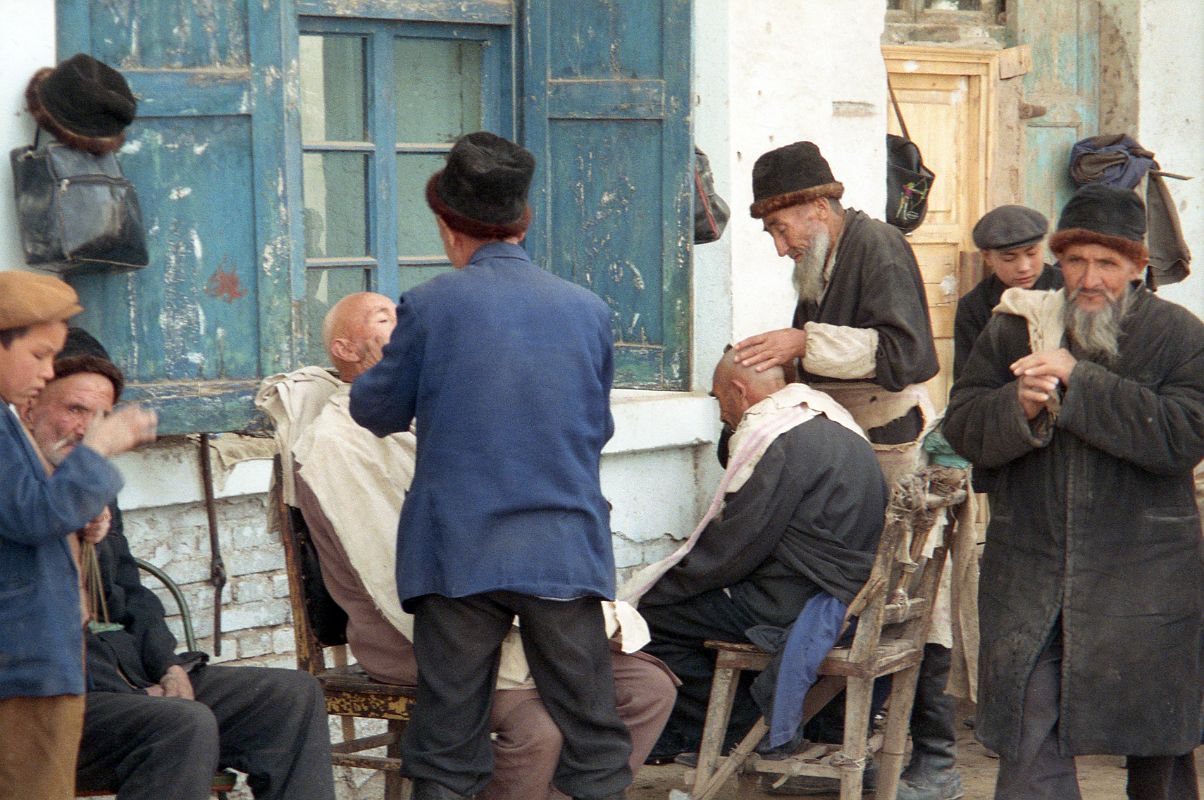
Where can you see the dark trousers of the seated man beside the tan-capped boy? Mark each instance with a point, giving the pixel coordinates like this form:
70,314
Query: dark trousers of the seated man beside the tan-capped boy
268,723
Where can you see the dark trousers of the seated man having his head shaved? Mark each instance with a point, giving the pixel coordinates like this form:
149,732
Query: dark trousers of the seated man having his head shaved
680,631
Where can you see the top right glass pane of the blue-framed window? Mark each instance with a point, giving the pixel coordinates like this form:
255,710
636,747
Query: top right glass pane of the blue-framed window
438,85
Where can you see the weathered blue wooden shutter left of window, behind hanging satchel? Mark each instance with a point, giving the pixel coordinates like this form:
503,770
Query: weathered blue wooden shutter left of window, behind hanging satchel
197,330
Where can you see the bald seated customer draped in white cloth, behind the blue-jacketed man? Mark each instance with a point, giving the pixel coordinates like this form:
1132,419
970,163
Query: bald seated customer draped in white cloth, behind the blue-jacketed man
351,486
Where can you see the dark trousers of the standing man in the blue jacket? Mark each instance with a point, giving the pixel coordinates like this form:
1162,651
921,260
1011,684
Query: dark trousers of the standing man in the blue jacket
457,643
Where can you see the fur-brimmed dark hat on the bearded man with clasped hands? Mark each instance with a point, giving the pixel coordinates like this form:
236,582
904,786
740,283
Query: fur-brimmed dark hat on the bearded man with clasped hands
1103,215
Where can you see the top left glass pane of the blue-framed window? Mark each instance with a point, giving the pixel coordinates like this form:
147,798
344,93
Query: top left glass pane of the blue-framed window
333,97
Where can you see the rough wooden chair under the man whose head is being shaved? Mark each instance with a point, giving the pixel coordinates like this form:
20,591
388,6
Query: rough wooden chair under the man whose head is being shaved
894,611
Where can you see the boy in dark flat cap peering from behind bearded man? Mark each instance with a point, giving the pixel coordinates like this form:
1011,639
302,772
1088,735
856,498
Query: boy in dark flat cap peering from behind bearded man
1012,240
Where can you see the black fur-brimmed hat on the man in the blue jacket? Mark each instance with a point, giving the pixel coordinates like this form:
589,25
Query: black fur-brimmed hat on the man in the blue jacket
482,192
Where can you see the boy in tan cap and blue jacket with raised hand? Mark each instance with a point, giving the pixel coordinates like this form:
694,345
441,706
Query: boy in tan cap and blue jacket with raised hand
42,639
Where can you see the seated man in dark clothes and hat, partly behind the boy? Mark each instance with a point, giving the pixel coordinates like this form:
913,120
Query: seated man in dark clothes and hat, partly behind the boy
160,725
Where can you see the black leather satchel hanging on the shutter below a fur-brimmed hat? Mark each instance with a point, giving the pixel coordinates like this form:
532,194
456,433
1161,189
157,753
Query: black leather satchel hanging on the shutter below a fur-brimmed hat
76,211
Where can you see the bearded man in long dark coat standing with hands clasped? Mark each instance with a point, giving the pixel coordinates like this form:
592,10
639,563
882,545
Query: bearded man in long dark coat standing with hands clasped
1091,581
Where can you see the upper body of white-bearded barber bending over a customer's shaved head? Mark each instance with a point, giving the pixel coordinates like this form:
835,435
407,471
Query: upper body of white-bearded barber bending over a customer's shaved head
861,330
